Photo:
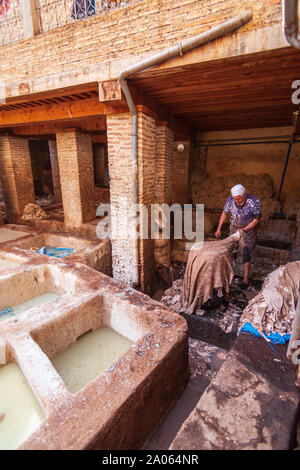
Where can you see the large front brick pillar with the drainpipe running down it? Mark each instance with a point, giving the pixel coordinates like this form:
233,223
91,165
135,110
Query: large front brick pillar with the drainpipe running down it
121,191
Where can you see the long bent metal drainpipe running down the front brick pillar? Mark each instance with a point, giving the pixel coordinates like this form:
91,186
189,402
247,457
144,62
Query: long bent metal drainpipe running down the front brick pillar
178,50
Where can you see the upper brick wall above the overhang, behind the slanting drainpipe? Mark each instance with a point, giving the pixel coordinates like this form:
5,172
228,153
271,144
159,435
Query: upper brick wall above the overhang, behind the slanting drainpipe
141,28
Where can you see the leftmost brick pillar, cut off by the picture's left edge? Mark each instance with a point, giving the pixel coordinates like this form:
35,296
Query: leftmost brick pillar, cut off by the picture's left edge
16,176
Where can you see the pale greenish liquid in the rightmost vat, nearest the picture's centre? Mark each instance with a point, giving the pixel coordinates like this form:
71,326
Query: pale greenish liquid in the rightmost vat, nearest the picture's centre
92,354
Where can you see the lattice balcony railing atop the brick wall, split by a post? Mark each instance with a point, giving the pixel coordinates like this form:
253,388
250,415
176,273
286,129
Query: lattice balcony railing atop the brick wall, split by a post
51,14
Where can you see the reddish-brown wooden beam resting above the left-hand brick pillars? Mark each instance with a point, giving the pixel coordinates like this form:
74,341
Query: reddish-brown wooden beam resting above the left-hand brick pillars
59,112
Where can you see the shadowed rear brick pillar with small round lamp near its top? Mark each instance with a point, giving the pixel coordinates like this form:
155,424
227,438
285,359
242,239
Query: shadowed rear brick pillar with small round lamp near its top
181,161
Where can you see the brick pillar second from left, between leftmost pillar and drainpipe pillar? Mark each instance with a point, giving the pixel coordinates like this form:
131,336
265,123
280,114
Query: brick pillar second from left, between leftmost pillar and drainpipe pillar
75,158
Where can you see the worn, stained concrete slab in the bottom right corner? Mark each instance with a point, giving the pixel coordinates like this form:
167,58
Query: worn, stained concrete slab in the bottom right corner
251,404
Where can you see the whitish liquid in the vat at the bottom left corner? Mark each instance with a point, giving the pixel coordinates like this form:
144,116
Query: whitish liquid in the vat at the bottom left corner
20,413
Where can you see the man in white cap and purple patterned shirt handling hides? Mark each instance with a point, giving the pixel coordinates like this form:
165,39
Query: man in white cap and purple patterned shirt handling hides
245,212
